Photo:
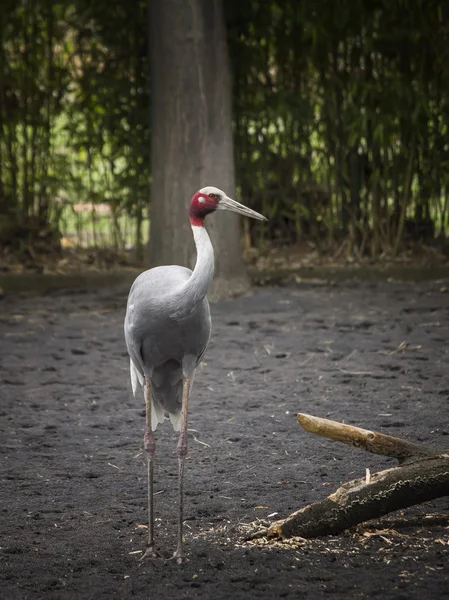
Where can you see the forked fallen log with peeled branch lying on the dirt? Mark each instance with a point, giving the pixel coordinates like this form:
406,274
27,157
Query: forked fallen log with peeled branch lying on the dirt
422,476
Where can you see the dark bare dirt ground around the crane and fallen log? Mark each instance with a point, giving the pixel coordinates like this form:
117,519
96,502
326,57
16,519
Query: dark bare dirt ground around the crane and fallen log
73,475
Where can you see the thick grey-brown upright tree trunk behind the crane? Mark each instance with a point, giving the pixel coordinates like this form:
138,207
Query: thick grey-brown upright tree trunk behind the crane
192,136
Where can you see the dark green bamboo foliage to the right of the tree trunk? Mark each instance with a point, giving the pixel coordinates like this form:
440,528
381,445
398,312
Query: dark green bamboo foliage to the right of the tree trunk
341,113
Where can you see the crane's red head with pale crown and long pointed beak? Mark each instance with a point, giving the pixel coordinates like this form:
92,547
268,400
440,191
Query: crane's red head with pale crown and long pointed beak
210,199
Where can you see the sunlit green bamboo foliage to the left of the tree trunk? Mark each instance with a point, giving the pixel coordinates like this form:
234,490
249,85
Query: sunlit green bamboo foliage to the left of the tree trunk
74,110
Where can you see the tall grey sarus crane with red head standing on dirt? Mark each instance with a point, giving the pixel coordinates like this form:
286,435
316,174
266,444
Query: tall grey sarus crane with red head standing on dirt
167,330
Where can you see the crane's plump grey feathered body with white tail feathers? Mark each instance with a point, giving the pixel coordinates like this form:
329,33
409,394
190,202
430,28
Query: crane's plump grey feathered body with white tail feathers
164,341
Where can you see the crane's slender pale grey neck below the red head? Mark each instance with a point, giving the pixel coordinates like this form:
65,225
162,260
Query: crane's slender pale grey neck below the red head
197,286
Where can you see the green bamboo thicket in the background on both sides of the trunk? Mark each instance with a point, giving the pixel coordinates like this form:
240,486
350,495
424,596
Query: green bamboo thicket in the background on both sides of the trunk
341,113
